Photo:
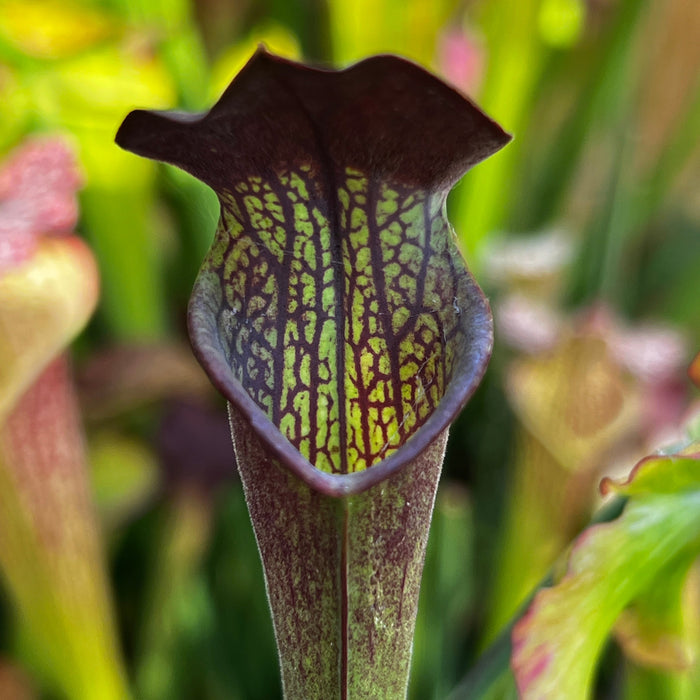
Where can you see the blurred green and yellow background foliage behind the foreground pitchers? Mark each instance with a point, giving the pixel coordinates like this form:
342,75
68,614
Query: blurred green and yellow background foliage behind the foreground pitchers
585,232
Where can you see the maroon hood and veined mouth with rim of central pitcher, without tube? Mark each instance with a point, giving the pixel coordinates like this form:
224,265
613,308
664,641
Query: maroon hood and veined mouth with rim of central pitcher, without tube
334,310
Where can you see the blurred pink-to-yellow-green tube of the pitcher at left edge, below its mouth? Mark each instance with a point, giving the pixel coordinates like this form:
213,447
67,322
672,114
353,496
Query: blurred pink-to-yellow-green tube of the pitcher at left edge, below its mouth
50,549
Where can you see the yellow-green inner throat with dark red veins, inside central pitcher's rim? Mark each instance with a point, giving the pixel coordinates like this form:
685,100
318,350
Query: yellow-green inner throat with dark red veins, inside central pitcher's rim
341,333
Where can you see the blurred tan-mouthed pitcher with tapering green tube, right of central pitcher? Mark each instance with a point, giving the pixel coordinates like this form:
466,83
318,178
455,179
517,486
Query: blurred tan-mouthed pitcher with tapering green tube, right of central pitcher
573,403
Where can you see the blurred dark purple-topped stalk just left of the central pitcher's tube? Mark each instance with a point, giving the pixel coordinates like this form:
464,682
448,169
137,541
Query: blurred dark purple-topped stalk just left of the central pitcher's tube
194,448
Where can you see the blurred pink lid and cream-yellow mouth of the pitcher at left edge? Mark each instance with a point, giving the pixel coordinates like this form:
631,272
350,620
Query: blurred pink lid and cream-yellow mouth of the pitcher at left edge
48,277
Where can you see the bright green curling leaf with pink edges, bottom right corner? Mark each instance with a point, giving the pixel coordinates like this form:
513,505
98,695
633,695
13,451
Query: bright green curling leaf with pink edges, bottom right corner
558,641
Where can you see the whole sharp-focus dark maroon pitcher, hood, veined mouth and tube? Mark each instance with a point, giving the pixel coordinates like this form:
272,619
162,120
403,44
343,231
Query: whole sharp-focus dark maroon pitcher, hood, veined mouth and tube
337,316
